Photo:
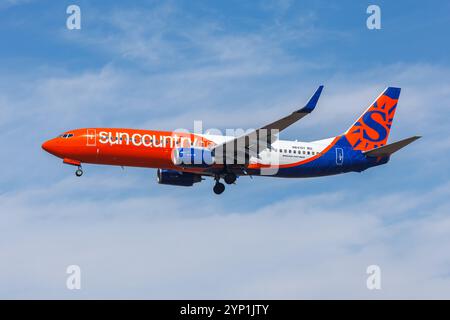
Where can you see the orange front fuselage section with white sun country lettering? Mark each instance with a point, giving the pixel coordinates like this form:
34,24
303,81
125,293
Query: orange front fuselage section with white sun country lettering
121,147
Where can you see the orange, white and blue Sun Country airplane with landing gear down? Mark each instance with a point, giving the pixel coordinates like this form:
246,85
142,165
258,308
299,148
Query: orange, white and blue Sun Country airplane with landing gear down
184,158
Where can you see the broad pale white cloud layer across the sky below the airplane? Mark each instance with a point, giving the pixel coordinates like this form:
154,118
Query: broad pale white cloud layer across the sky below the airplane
154,247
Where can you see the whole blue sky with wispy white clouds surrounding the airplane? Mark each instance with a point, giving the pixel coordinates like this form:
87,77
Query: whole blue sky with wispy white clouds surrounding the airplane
162,65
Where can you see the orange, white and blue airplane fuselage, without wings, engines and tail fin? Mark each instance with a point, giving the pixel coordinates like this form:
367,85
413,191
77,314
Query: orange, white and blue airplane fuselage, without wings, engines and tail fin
154,149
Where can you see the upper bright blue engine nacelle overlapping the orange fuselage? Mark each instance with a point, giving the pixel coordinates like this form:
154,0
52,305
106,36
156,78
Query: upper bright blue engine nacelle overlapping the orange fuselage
192,157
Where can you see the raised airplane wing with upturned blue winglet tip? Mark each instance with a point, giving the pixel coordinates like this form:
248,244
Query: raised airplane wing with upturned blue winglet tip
266,135
